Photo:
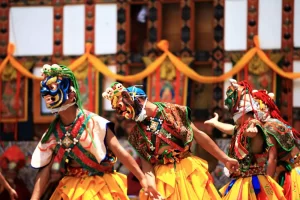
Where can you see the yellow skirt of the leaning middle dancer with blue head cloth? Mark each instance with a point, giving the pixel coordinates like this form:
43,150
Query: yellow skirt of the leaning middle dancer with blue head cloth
188,180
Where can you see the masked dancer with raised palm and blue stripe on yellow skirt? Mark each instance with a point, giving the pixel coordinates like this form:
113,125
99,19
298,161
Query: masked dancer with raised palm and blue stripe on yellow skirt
251,145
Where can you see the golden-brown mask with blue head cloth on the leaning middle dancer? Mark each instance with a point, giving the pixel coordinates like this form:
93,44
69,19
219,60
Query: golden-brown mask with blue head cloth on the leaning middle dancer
126,101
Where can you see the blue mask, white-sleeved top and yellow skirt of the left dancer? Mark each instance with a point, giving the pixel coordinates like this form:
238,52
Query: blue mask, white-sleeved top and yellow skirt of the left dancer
82,142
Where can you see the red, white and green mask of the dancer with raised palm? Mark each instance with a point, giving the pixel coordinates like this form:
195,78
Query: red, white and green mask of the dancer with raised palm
239,99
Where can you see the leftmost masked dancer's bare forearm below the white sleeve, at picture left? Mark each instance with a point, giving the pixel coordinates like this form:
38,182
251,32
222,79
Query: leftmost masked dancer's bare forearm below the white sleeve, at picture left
42,179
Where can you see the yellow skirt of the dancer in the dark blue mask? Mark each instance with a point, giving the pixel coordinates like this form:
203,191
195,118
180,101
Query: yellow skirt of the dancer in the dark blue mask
109,187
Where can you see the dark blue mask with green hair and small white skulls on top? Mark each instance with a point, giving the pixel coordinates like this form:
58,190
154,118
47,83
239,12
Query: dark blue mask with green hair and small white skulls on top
58,82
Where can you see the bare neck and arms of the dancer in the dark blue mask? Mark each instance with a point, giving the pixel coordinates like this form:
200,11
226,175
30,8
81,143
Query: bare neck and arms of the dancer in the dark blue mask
67,117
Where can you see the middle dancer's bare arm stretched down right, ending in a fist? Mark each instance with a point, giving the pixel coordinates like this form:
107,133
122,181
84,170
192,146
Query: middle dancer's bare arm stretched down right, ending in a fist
210,146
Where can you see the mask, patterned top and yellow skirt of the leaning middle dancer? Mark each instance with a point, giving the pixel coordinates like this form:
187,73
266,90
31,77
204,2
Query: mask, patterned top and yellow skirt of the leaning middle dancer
179,174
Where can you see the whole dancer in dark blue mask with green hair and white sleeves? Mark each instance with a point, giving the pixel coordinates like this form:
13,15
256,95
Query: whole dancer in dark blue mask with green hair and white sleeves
82,142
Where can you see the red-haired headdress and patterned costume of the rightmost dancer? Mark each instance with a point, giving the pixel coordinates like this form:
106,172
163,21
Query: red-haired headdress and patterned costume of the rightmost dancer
288,162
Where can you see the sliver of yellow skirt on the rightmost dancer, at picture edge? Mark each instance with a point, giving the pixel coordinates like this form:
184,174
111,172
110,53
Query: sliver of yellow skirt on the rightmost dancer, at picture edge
292,184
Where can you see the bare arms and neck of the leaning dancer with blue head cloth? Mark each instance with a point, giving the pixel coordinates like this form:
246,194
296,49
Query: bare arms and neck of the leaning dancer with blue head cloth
200,137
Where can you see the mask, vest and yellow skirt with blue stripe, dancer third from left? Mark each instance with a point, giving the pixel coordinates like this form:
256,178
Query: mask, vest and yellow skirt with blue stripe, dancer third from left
251,182
